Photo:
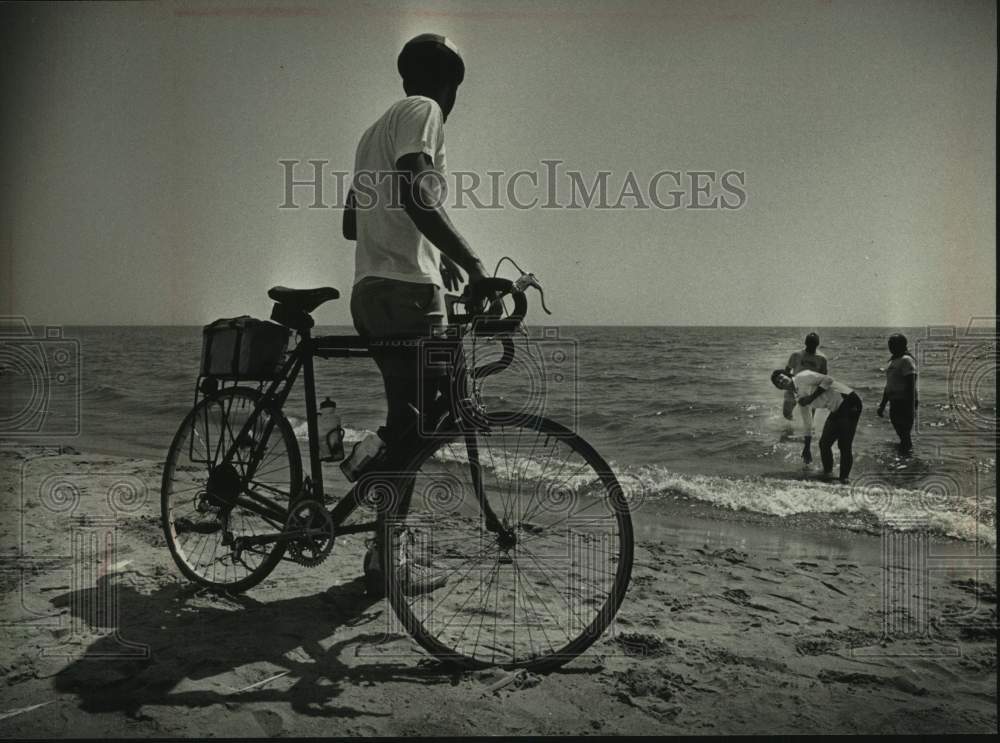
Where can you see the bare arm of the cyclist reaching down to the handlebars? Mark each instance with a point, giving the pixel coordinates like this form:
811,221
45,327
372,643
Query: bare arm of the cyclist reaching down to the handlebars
424,208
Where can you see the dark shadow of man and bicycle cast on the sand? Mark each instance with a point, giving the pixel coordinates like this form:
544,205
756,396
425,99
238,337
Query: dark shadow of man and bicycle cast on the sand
203,650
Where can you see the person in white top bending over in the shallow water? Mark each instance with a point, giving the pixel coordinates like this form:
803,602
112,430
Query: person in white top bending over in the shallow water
815,390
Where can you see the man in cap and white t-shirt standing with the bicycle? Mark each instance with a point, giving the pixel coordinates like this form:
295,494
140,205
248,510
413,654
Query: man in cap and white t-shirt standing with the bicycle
408,251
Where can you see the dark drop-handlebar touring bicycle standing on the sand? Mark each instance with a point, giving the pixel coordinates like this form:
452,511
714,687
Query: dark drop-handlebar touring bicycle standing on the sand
523,521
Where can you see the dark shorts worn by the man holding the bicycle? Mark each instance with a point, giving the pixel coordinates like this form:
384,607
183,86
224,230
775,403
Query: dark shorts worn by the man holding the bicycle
390,309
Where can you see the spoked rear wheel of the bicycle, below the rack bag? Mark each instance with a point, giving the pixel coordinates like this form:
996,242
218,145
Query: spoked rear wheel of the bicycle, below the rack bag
204,523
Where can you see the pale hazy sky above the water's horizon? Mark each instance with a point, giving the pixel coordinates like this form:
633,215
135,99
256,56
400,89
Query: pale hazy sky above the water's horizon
141,147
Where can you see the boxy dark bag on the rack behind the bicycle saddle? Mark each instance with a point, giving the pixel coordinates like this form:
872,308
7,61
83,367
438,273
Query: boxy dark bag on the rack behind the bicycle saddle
243,348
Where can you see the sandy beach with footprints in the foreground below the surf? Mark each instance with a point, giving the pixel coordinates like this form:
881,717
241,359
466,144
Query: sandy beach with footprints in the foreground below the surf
731,625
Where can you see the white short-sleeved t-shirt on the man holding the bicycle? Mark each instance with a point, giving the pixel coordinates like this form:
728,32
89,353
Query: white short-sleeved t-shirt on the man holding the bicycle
389,245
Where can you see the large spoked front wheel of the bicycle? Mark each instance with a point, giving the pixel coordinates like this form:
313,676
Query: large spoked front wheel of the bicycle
532,579
